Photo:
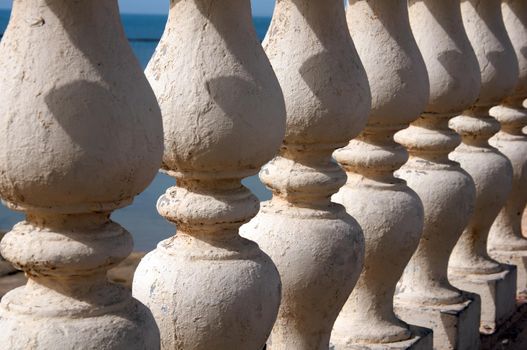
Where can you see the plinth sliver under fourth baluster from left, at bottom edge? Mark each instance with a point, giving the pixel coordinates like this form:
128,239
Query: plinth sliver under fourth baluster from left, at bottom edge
420,339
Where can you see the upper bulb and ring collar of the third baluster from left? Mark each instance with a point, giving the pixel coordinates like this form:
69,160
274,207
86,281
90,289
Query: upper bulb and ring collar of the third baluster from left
326,93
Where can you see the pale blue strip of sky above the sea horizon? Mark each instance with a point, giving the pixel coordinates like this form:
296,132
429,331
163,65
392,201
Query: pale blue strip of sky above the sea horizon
260,7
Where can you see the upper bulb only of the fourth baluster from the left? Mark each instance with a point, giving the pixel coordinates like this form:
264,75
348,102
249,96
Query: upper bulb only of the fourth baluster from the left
395,68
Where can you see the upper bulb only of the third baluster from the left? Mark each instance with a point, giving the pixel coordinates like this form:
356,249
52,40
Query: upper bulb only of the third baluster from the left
326,94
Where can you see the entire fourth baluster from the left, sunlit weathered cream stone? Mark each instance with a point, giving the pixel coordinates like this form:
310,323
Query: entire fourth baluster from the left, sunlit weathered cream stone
389,212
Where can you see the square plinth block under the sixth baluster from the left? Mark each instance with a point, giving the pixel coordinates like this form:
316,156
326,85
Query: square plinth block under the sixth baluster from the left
497,292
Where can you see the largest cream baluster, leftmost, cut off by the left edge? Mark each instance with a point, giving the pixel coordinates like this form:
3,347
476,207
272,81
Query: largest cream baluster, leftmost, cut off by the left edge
81,136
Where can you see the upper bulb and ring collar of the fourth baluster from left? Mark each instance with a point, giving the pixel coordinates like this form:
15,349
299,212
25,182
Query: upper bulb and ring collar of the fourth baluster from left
398,82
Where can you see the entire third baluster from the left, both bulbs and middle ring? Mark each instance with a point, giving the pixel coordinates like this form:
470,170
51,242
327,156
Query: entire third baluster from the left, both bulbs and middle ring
317,247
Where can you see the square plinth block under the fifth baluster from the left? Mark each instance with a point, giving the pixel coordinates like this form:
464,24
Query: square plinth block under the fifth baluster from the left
455,326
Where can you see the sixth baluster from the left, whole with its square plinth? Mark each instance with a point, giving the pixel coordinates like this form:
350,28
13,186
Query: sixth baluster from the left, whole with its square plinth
470,267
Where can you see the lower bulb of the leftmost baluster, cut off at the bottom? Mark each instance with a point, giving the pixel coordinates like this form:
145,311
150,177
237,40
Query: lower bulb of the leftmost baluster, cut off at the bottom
126,324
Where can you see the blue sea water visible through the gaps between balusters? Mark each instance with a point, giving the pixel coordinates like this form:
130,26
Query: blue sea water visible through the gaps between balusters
141,218
